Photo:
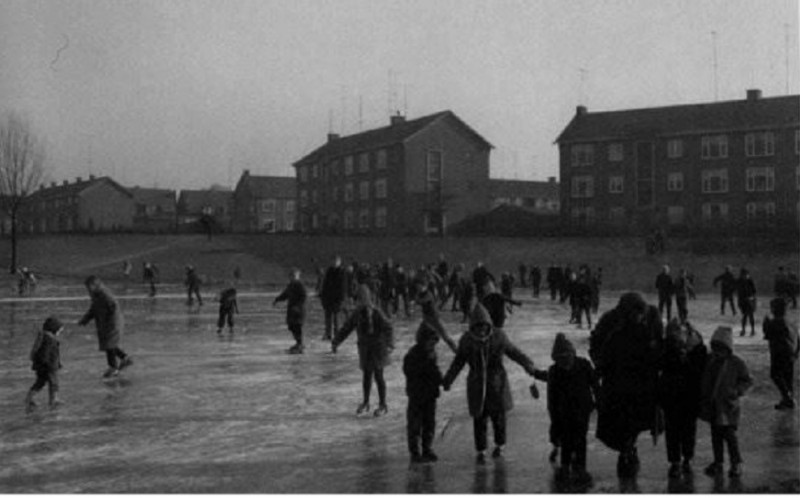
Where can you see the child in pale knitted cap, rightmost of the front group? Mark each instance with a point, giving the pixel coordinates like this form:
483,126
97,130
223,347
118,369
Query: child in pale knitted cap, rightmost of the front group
725,380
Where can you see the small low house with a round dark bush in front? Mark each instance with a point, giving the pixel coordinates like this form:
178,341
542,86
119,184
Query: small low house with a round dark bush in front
196,206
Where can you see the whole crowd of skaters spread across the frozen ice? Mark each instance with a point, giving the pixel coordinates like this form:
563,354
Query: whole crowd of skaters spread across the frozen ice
645,371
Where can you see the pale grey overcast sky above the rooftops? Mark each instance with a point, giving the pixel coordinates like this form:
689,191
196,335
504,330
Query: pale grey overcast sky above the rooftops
189,93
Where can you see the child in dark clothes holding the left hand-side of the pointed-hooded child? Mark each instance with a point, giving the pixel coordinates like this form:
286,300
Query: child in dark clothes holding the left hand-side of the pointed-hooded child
423,379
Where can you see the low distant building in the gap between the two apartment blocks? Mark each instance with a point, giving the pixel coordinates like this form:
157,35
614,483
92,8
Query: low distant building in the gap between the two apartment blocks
534,196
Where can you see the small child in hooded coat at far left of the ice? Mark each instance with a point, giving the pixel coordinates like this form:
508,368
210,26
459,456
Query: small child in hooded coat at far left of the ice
46,362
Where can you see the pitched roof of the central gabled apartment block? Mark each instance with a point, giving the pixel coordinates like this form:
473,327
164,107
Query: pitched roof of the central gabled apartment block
388,135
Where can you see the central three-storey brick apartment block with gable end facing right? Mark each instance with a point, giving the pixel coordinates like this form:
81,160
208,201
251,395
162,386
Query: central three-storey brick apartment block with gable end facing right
411,177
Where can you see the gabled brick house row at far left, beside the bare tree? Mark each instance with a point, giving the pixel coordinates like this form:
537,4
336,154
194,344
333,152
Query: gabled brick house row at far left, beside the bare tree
93,205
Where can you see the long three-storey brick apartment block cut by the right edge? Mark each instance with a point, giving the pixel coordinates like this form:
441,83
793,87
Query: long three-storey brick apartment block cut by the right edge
720,165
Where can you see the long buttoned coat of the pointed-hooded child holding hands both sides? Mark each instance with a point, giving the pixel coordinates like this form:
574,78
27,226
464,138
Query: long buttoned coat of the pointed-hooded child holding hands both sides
487,383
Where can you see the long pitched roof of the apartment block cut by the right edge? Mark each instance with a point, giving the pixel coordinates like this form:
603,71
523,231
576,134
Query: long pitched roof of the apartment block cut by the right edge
745,114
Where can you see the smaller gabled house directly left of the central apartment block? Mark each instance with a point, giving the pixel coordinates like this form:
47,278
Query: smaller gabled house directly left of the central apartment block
265,204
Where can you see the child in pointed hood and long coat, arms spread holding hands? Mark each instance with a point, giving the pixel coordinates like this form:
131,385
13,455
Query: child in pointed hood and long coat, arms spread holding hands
483,347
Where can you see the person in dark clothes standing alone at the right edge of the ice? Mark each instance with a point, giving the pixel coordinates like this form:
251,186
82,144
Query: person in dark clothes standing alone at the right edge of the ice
784,348
